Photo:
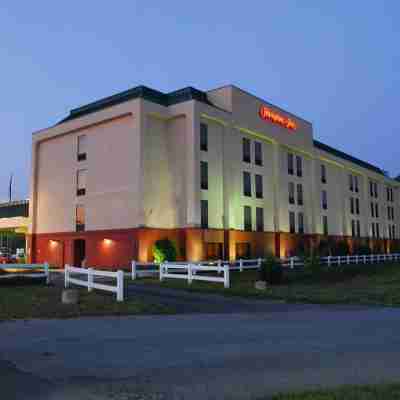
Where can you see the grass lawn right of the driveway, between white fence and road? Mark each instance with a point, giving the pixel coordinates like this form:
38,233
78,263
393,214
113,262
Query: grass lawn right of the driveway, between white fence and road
363,284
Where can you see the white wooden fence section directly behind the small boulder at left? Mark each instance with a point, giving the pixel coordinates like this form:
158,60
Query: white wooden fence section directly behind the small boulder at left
91,284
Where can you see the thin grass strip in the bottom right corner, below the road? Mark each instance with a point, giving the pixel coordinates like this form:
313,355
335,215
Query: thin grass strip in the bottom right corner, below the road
368,392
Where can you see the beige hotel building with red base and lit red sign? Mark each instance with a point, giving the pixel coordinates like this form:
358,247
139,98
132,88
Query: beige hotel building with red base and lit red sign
223,174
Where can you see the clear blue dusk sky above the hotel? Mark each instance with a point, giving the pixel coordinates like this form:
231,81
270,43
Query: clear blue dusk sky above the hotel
333,63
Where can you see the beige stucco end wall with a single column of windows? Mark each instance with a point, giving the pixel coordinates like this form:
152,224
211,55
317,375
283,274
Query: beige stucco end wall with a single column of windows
113,164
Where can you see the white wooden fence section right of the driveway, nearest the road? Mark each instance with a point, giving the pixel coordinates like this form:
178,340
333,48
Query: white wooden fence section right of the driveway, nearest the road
188,271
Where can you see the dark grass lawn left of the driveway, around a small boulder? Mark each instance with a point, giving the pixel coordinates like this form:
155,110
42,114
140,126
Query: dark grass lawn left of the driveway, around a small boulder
36,300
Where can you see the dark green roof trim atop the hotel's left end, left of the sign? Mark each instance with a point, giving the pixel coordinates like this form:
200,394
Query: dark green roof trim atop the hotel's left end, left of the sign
143,92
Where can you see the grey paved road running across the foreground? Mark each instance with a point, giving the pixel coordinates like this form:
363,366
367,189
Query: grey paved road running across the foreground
198,356
